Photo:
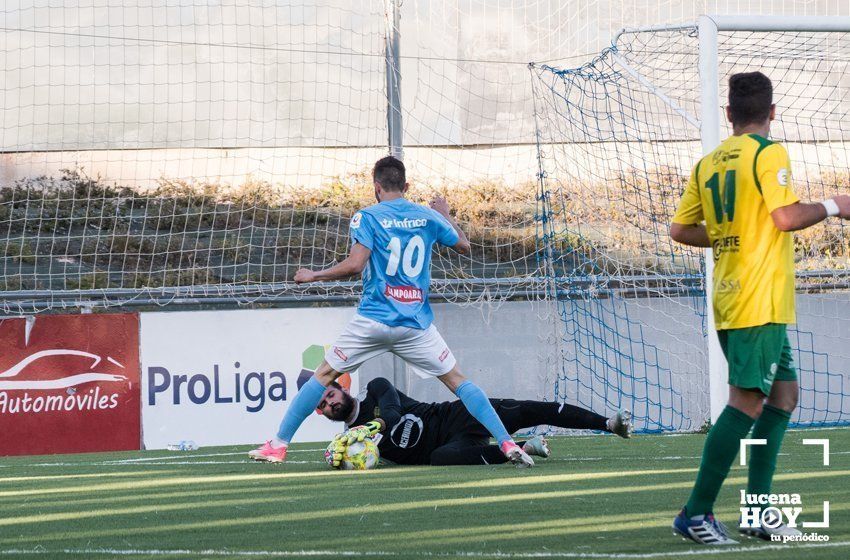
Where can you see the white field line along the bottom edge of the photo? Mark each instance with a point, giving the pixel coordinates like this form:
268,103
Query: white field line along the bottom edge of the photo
690,552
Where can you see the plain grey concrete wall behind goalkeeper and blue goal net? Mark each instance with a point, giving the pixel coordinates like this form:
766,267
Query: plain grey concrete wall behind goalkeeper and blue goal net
644,354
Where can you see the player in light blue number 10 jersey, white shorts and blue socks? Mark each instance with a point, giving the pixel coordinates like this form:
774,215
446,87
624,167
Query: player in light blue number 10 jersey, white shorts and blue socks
392,243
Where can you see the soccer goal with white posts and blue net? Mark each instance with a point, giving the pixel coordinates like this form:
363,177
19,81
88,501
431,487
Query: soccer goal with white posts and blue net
617,138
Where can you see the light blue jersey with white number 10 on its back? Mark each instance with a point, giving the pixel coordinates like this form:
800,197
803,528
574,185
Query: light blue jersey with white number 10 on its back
400,235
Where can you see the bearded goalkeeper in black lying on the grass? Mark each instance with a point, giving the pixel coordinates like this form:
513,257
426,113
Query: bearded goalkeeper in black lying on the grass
416,433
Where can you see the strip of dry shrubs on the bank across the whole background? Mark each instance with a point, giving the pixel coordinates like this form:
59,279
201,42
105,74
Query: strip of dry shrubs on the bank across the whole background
77,232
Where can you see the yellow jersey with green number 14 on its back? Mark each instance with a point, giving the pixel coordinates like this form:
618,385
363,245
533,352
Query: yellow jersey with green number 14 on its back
734,189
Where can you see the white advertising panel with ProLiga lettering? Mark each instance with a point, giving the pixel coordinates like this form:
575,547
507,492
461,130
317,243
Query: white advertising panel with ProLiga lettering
227,377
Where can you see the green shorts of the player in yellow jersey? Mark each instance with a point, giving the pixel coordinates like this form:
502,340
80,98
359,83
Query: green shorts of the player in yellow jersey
758,356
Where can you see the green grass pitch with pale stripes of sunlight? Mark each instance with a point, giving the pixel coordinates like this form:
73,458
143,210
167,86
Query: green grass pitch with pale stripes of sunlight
597,497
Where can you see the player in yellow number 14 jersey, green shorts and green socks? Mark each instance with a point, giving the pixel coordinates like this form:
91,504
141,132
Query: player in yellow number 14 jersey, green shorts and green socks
740,202
